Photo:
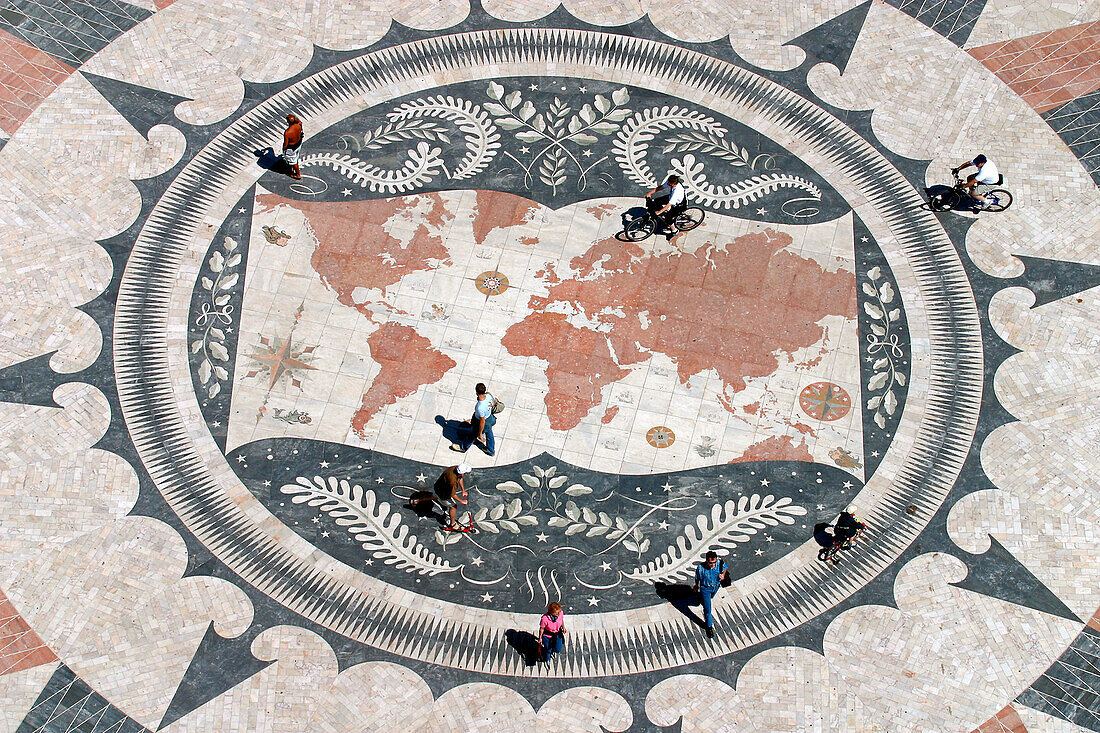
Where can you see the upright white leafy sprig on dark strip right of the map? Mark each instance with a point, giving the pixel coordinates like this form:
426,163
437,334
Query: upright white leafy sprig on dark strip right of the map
884,345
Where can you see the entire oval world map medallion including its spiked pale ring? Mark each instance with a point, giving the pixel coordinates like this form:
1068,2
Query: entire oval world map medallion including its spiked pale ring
423,189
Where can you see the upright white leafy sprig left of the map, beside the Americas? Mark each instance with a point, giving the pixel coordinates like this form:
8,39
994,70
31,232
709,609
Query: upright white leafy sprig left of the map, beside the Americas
215,314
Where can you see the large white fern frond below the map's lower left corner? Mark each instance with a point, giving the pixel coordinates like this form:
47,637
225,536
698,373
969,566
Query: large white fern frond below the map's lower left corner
371,522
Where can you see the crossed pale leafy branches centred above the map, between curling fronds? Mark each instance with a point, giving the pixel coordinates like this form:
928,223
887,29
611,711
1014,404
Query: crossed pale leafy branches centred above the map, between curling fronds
556,130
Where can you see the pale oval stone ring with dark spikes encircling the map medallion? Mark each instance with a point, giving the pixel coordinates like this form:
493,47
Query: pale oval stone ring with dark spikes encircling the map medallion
162,412
